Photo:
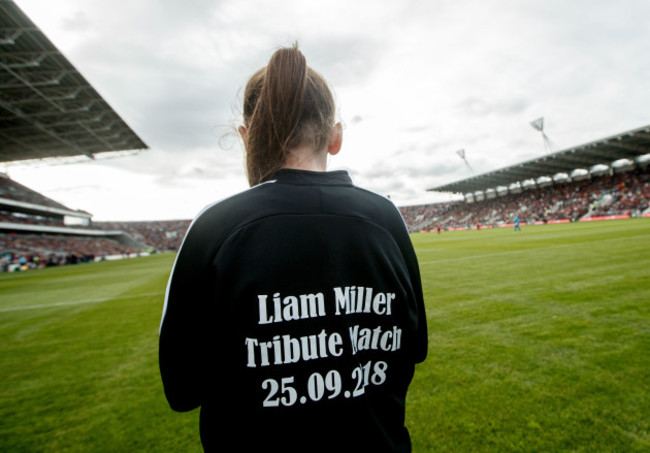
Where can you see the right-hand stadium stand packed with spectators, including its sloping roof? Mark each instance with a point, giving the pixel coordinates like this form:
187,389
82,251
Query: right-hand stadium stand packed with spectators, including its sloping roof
567,185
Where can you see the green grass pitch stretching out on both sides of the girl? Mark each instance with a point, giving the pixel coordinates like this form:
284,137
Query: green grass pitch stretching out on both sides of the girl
539,341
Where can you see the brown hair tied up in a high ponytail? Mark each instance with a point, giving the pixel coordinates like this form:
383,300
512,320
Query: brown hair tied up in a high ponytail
286,104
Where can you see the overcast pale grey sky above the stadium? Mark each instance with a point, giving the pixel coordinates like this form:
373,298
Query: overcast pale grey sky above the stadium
415,81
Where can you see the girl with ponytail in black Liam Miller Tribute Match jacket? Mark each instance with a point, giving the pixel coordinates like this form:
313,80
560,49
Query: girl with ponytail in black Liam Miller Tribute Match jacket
294,314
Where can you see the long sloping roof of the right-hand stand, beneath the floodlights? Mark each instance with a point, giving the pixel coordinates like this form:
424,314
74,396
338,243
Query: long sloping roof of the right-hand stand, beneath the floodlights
627,145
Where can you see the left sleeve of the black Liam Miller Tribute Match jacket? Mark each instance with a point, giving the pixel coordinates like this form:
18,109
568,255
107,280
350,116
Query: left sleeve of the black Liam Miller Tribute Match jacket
183,326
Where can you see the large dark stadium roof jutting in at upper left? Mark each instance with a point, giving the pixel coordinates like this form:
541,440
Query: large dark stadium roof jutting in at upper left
47,108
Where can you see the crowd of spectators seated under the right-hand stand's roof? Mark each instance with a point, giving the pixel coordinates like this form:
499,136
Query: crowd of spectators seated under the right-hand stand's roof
624,193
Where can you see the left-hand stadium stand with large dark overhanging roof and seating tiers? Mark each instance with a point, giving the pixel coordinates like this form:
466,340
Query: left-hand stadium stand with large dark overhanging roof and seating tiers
48,111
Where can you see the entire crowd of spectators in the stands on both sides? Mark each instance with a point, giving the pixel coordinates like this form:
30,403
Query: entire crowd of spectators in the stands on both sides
621,193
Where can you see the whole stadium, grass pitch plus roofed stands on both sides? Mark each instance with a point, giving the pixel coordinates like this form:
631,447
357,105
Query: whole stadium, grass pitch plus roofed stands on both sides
538,343
